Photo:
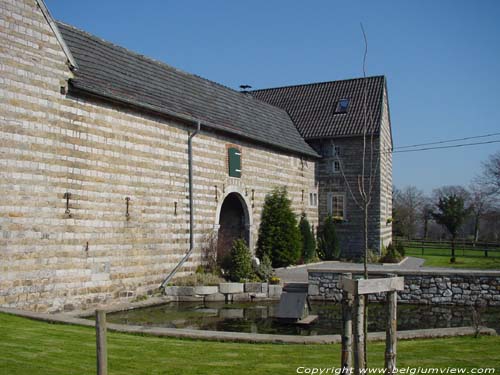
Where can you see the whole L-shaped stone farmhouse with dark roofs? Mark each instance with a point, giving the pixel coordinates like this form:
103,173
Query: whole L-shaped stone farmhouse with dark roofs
117,169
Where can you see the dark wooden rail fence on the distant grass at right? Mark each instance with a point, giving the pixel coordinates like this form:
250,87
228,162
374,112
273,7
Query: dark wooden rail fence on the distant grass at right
487,248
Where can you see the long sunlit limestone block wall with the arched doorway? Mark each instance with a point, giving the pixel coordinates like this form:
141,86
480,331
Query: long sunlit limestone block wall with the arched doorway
54,256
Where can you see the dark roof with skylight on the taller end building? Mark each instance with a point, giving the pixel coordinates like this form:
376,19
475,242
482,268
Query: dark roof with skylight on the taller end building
312,107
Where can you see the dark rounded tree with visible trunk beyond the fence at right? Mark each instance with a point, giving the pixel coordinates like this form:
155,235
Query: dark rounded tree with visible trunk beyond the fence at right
451,215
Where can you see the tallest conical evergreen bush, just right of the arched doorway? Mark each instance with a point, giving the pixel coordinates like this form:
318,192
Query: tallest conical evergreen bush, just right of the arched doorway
279,235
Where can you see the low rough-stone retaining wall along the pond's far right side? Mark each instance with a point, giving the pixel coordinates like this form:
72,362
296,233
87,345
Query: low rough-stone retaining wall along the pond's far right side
454,287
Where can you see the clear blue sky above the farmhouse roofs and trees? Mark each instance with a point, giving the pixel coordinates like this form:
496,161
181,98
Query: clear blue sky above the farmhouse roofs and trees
441,59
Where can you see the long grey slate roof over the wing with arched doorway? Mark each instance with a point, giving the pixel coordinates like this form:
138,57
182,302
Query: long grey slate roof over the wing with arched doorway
113,72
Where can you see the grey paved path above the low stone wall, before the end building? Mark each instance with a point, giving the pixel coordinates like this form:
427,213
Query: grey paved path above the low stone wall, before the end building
299,273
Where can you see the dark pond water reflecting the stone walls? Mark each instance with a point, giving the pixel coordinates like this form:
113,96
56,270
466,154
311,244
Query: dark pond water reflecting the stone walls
257,317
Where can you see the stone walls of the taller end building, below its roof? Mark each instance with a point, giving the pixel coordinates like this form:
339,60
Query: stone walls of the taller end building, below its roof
333,182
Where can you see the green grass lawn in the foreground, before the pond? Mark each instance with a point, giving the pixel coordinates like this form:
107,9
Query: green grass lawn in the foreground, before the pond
37,348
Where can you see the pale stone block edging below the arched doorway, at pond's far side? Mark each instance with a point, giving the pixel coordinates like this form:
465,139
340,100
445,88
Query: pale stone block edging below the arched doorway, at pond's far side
230,292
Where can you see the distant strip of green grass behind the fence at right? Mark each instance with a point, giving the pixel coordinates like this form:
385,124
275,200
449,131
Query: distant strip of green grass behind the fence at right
464,259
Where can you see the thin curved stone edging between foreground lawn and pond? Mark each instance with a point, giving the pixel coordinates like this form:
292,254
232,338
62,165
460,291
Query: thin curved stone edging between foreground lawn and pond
244,337
